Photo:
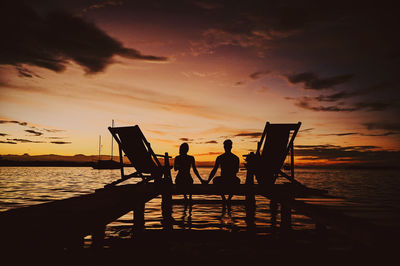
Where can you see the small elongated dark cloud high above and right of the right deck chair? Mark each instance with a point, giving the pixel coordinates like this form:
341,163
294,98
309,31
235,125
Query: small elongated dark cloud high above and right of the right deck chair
312,82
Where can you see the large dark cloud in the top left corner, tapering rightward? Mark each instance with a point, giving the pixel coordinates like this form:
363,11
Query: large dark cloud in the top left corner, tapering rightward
53,39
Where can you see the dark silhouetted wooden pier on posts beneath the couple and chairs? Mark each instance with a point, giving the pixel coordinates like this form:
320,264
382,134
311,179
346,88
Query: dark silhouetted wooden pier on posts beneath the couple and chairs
63,224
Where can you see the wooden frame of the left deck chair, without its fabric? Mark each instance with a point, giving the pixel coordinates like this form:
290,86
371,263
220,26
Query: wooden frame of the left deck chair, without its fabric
165,170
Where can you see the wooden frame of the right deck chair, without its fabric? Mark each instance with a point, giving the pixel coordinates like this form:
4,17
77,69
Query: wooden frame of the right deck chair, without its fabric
289,150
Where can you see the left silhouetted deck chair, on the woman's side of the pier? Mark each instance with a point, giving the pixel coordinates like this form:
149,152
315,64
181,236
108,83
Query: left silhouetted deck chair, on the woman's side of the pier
134,145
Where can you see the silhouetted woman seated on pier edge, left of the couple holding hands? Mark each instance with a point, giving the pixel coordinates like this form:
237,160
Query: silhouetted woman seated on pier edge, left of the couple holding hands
182,163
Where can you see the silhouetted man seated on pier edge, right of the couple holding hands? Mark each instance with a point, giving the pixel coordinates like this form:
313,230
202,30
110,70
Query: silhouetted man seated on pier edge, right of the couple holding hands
229,164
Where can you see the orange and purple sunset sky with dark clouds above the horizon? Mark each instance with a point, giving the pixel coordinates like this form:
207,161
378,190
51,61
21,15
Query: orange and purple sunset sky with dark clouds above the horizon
201,72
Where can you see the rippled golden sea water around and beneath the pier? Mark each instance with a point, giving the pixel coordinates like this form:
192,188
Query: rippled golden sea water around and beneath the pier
24,186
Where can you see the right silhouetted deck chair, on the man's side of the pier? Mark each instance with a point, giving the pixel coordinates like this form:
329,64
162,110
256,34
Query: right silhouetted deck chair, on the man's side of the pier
272,150
